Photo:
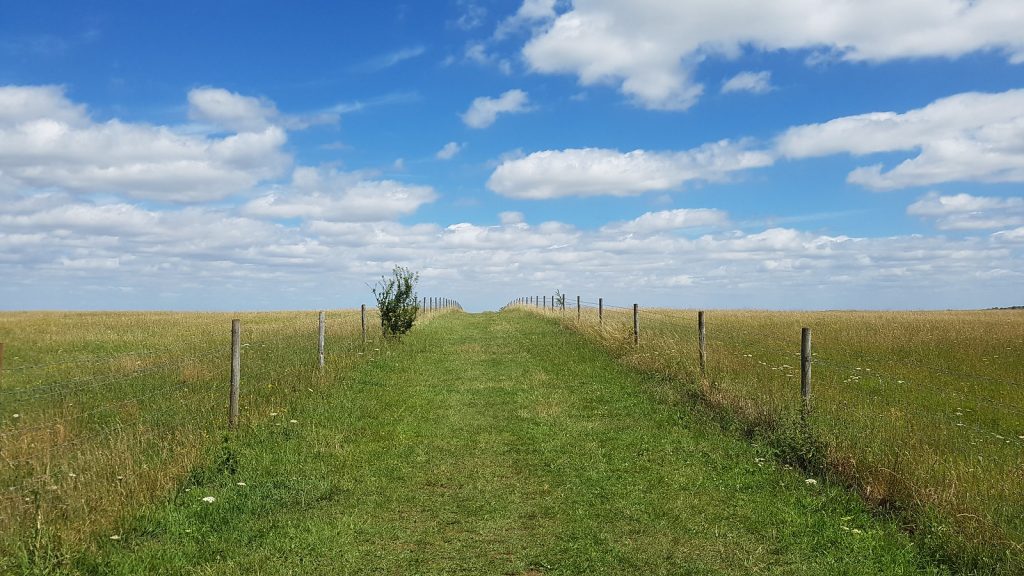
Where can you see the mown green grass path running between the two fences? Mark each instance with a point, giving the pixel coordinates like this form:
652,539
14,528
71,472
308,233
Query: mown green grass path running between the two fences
501,444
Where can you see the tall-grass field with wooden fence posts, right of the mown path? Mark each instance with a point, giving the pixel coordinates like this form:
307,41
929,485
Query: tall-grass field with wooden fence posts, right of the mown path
918,412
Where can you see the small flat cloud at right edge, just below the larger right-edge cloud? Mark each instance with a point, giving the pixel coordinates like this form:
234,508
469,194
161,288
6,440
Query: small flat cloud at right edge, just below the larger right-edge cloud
964,212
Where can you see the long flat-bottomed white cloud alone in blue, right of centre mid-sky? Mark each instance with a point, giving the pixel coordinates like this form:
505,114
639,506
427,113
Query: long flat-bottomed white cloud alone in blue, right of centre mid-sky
610,173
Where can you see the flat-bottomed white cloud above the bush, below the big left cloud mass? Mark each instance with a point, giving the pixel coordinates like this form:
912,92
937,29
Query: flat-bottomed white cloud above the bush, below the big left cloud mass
332,196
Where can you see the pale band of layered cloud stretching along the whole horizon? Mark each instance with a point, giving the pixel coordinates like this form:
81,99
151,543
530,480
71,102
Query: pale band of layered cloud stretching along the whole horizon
50,248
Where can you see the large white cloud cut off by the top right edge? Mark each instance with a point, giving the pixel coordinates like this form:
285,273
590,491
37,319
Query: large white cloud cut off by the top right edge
651,50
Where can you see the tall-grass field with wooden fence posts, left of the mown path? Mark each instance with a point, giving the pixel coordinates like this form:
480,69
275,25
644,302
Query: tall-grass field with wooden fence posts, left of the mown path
102,413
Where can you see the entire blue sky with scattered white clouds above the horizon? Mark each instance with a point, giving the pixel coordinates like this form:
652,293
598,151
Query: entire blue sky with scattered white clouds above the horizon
741,154
